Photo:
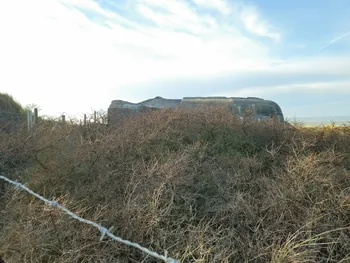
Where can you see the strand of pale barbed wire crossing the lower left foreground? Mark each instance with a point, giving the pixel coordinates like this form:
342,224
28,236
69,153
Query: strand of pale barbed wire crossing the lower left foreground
104,231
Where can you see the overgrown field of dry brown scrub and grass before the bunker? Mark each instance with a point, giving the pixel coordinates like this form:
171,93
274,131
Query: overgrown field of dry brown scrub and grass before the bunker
199,184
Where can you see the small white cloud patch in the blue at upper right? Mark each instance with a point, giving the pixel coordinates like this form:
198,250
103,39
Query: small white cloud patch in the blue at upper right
256,24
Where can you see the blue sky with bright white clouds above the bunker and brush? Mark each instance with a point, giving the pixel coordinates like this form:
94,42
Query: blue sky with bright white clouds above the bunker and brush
75,56
